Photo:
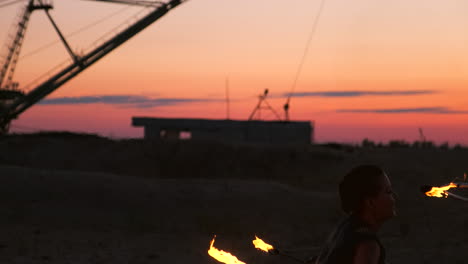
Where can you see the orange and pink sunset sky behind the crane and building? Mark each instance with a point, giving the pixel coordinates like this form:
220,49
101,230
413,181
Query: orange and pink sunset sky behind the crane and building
374,69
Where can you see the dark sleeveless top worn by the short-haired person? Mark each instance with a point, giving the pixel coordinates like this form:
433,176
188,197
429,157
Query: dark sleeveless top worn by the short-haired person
341,244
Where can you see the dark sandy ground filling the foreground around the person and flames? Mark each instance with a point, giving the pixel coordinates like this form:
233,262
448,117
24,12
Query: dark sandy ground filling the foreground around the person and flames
60,215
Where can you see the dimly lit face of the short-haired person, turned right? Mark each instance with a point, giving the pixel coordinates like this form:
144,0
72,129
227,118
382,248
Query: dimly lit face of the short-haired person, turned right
384,201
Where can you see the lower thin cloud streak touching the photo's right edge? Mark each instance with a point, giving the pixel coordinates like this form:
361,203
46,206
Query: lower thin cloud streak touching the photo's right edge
417,110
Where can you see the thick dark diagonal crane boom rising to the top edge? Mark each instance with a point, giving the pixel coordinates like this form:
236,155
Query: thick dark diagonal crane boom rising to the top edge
22,103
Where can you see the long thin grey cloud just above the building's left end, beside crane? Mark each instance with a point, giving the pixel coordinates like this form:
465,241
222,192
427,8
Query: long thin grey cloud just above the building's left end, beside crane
123,100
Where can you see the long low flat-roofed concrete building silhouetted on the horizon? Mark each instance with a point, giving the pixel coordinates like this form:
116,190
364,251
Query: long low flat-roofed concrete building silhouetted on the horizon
229,131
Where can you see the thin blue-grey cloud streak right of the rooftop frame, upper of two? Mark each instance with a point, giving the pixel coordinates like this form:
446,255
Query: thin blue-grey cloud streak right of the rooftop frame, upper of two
360,93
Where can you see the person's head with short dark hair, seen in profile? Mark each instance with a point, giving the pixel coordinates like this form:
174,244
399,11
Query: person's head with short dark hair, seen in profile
367,188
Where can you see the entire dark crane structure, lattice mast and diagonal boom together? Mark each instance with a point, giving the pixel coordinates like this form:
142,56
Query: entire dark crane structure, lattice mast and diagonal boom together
13,101
